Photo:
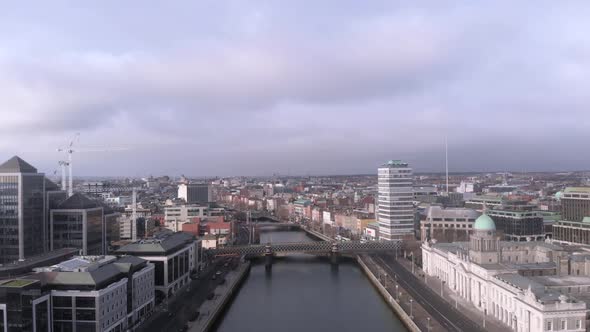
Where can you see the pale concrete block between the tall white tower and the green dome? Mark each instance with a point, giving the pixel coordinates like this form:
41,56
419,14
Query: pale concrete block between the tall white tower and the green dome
447,225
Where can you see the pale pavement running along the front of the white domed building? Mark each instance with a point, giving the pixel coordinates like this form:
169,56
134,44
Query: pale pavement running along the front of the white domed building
461,304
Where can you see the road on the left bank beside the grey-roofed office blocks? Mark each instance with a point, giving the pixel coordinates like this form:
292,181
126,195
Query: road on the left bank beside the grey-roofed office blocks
187,301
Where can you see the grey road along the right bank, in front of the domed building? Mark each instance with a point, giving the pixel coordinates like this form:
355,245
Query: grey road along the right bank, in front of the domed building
449,317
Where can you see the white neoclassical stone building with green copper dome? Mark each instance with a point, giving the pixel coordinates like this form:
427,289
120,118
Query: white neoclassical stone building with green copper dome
517,283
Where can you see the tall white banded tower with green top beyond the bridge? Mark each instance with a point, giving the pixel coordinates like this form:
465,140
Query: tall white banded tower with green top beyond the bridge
396,209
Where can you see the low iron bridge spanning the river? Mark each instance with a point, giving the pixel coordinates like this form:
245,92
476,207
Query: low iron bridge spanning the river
318,247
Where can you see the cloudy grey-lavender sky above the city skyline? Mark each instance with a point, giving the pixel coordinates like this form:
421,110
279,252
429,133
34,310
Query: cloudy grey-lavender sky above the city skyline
221,88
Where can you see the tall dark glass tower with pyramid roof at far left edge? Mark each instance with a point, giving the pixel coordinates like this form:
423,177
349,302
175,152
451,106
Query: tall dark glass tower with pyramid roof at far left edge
23,222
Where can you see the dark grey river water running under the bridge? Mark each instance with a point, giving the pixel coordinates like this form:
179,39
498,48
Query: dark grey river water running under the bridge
306,293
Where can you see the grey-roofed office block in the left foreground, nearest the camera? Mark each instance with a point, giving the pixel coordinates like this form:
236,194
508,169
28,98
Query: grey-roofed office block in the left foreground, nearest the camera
98,293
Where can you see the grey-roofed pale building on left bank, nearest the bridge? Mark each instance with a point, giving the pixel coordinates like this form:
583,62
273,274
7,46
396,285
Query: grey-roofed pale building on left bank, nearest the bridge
174,255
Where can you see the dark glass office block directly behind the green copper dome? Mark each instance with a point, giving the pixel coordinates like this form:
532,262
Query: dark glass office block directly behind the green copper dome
518,222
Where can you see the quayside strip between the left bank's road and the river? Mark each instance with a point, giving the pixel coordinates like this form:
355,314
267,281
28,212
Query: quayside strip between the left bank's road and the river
211,310
